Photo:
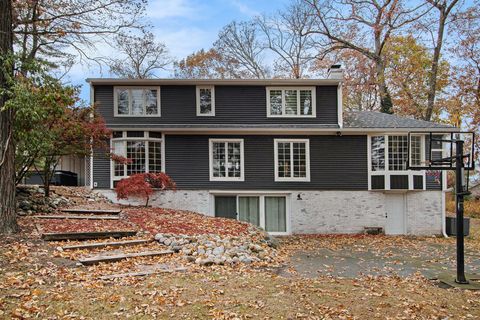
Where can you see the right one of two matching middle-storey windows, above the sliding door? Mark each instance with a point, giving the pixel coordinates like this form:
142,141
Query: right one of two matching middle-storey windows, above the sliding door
292,160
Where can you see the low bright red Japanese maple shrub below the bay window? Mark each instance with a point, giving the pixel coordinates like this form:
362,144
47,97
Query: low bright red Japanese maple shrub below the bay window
142,185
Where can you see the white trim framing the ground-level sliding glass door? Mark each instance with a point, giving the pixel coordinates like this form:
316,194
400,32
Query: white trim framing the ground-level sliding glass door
246,193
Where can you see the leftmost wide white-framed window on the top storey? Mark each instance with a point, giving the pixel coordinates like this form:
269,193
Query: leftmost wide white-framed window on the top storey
137,102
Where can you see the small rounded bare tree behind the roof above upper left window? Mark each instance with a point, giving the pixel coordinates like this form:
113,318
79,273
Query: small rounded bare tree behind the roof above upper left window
140,56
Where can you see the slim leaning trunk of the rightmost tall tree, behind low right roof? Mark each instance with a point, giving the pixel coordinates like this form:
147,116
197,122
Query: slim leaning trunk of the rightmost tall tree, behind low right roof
432,79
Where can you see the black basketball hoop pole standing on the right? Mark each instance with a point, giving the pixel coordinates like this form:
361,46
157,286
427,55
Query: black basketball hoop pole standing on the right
459,171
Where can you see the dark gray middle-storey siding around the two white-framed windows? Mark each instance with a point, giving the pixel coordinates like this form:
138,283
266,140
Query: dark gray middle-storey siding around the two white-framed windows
335,163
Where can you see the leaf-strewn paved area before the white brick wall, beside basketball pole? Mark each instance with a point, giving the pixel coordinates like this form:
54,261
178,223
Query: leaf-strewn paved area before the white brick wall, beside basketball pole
431,261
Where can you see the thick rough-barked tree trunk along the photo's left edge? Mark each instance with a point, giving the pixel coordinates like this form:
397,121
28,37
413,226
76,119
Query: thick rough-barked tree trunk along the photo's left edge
8,218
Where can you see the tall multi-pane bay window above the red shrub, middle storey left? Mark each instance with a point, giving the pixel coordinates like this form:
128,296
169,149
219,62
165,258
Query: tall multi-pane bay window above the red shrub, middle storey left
142,151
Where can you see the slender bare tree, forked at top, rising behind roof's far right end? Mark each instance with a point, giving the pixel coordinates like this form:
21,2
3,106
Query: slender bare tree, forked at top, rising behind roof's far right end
444,9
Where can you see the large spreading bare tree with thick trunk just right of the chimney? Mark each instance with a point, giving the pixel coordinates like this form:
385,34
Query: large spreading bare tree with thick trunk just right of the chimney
364,26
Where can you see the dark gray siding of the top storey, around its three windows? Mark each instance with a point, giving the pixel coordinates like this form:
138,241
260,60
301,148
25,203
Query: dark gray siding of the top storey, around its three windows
233,105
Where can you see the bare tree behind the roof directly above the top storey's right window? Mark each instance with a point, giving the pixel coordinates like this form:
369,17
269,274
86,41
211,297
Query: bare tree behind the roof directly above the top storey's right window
287,35
